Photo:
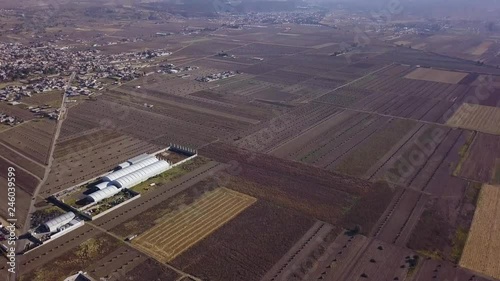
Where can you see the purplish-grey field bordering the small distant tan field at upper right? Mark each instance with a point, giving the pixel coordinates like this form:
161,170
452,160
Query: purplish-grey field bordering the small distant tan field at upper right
387,92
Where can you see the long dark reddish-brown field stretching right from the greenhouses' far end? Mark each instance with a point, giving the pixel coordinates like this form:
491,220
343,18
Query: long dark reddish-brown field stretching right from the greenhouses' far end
281,182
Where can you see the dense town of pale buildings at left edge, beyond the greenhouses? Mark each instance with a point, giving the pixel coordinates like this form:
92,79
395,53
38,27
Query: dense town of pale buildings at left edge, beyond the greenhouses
41,68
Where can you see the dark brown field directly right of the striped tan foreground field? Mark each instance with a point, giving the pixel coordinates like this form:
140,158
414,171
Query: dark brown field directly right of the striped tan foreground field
222,255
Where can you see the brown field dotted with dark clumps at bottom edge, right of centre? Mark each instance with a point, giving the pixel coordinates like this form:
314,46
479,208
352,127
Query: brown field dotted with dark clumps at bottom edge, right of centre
347,256
